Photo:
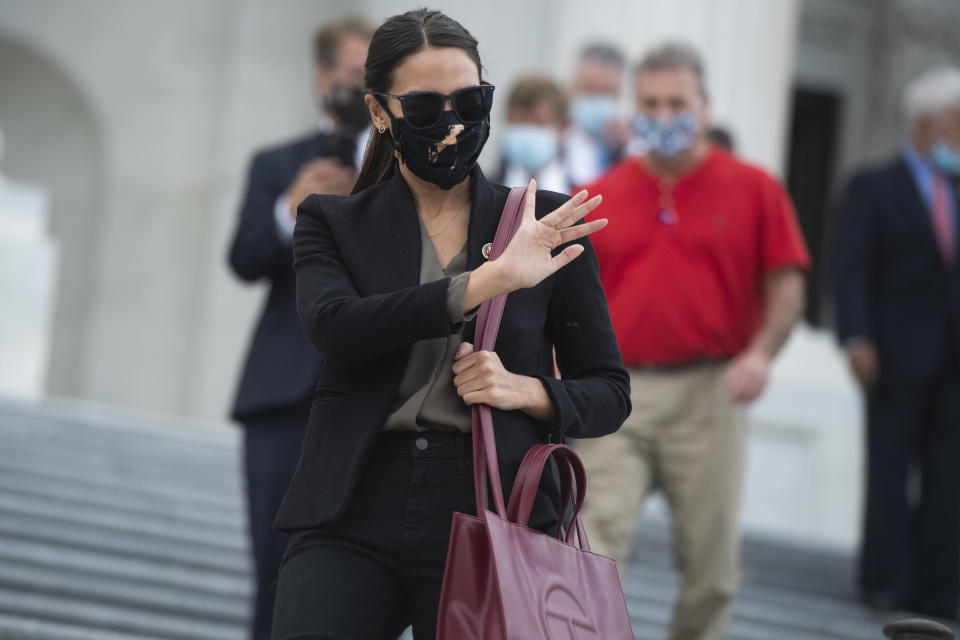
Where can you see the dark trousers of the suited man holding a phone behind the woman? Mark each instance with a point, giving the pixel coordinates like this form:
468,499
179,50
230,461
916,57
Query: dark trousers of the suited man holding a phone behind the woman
271,452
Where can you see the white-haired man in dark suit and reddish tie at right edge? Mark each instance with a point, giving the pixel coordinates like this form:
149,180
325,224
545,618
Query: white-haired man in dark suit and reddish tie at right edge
897,284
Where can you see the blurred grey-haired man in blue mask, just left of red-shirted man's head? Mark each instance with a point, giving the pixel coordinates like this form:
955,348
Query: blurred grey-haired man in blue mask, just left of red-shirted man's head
597,134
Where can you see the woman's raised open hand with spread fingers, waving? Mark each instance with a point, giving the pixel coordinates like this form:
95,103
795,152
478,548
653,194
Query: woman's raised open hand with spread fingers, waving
528,259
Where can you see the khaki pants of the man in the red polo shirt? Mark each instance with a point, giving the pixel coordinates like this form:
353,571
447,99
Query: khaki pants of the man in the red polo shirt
686,438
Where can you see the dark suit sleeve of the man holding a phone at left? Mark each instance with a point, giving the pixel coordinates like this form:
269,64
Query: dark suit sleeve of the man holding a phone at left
257,249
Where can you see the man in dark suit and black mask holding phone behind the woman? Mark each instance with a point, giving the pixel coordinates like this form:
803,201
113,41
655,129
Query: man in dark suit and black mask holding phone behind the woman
282,367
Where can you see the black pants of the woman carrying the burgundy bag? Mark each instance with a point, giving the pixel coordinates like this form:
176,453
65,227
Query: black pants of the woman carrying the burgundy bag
379,567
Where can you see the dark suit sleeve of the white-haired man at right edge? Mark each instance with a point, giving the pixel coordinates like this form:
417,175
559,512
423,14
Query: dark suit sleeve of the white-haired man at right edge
854,255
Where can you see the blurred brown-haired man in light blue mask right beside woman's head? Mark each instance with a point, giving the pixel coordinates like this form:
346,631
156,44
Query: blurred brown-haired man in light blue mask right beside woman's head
536,117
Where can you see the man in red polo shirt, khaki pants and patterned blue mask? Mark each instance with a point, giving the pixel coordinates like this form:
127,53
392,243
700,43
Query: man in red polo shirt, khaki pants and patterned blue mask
705,279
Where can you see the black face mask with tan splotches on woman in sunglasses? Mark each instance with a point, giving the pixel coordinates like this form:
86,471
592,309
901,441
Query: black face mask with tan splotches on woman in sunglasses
426,155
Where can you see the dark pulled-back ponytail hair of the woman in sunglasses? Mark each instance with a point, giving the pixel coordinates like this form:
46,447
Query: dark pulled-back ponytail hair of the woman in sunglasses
396,39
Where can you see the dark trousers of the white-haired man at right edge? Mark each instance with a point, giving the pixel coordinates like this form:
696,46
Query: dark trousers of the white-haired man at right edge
911,544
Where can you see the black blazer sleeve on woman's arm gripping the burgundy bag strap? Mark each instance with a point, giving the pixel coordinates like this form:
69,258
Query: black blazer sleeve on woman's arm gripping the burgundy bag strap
593,396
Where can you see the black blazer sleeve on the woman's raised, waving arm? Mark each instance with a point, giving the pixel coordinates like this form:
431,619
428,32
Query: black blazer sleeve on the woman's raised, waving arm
344,325
